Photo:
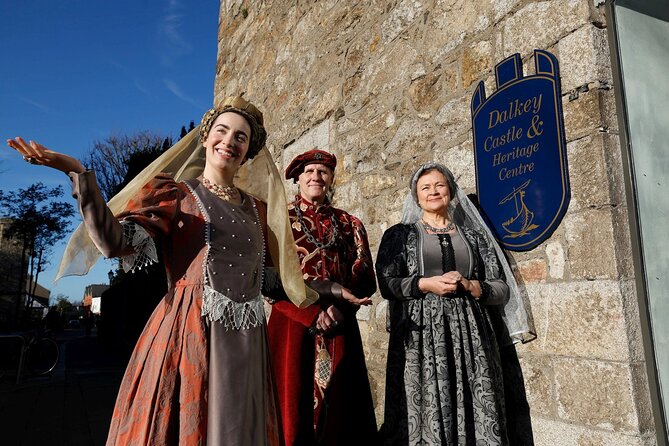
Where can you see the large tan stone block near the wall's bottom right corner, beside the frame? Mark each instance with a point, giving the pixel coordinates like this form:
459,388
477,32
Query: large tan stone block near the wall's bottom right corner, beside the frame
596,394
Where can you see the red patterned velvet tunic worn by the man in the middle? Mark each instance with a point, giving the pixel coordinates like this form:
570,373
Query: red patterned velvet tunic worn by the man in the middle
342,414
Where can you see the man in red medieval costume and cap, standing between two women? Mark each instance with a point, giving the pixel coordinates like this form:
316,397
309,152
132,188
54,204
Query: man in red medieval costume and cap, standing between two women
317,354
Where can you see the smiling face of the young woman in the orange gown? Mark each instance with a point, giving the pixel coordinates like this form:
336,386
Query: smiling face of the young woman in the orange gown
227,142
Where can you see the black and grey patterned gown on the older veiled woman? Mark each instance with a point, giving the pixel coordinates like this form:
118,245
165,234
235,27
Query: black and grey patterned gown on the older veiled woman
443,380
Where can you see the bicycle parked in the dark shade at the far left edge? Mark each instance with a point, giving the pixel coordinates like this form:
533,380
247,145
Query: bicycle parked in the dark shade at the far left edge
32,353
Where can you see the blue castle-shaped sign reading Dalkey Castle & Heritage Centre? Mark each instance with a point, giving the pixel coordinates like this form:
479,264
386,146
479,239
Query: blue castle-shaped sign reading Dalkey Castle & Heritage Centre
520,152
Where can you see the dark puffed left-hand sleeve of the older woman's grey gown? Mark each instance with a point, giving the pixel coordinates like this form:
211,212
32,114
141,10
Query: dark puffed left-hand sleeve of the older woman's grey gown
392,266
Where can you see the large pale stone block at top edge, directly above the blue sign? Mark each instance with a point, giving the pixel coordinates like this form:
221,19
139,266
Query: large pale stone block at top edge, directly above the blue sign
542,24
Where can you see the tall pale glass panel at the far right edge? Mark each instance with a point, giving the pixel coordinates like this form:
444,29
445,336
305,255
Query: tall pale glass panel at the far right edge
643,43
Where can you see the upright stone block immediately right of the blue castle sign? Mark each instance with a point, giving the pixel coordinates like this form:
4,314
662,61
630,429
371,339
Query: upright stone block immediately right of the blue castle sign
588,172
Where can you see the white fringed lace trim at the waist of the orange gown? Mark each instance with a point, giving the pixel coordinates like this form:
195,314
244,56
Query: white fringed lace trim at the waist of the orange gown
217,307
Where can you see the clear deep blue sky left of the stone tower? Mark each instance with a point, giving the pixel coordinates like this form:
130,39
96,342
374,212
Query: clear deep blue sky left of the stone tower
77,71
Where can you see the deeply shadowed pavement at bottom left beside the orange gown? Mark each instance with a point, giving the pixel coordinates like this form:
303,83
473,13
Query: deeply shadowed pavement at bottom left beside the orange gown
72,406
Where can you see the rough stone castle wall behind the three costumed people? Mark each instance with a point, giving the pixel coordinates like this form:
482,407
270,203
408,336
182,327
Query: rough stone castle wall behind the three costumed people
386,86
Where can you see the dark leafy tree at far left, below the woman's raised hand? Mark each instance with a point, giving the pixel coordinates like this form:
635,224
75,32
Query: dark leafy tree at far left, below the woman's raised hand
38,221
